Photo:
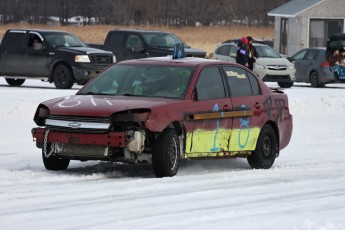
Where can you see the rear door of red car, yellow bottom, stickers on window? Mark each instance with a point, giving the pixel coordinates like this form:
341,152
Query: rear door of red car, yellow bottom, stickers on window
248,108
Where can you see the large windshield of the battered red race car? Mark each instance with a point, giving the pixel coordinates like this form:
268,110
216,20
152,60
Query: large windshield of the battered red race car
141,80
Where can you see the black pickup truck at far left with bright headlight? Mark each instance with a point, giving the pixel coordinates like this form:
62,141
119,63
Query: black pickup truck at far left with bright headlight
56,56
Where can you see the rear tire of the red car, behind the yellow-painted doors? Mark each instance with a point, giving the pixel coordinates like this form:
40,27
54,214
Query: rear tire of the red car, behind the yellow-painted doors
266,149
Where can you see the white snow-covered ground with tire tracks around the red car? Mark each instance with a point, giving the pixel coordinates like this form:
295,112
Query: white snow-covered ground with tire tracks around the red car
304,190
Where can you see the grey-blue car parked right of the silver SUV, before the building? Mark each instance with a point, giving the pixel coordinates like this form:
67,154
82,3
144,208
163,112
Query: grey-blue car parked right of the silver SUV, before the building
312,67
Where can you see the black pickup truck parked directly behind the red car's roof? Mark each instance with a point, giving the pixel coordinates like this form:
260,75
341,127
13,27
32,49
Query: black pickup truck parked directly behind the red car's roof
133,44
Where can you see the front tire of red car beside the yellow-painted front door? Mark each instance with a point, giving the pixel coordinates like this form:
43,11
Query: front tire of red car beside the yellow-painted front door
166,154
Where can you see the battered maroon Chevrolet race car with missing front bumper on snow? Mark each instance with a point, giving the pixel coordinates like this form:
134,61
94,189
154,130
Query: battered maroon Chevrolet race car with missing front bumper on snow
163,110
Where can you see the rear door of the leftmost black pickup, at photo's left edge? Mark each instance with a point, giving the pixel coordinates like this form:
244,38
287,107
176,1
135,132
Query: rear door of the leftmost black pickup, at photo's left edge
12,53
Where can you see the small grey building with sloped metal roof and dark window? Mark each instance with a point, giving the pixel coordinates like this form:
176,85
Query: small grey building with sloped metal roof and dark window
307,23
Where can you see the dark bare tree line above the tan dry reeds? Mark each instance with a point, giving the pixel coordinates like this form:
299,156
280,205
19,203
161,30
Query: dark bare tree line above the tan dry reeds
141,12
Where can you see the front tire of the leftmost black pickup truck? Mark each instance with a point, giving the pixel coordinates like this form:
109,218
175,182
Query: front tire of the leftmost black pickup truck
63,77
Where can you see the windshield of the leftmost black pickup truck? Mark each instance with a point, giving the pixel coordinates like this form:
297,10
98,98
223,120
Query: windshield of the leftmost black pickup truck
57,40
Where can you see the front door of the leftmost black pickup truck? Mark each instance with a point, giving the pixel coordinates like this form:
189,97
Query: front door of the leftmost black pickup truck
35,56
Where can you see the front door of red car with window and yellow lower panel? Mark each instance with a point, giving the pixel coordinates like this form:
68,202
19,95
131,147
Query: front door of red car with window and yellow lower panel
211,131
